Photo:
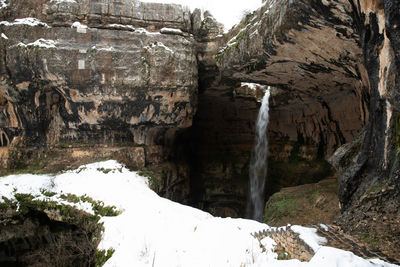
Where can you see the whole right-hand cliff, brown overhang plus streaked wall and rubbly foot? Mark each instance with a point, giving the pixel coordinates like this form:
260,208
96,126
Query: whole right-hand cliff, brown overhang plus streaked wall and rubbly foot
340,59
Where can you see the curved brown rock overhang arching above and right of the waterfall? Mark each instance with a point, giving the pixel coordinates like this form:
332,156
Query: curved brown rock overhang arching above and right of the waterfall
310,51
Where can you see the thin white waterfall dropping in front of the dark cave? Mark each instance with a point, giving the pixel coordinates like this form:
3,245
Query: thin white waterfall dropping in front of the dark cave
258,164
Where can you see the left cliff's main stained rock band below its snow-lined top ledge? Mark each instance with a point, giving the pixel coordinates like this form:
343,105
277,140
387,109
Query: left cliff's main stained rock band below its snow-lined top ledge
98,81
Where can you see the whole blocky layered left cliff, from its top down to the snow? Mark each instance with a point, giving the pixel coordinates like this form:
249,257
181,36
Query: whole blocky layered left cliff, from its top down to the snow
82,74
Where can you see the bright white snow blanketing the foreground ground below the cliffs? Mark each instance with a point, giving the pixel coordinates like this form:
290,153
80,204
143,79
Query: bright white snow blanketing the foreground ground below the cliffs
153,231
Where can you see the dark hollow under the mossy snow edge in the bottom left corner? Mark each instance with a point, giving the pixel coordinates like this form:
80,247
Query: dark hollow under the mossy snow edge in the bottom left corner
34,238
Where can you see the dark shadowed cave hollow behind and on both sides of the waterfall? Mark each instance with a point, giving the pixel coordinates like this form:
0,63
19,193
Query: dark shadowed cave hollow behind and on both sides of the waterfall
303,133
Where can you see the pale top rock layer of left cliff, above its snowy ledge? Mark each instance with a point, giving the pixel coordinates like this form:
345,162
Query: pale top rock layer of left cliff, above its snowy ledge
104,14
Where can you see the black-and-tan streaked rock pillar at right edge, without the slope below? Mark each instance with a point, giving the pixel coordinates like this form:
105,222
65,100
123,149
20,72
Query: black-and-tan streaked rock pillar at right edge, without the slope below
377,156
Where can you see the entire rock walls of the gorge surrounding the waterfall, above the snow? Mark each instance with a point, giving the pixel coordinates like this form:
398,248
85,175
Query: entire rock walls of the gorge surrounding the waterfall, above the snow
163,91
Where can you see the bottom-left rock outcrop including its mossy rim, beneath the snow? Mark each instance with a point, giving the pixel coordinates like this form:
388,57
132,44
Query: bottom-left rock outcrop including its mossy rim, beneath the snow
47,233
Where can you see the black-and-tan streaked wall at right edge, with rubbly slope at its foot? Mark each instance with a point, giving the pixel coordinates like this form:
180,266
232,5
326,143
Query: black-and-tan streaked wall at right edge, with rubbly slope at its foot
369,187
